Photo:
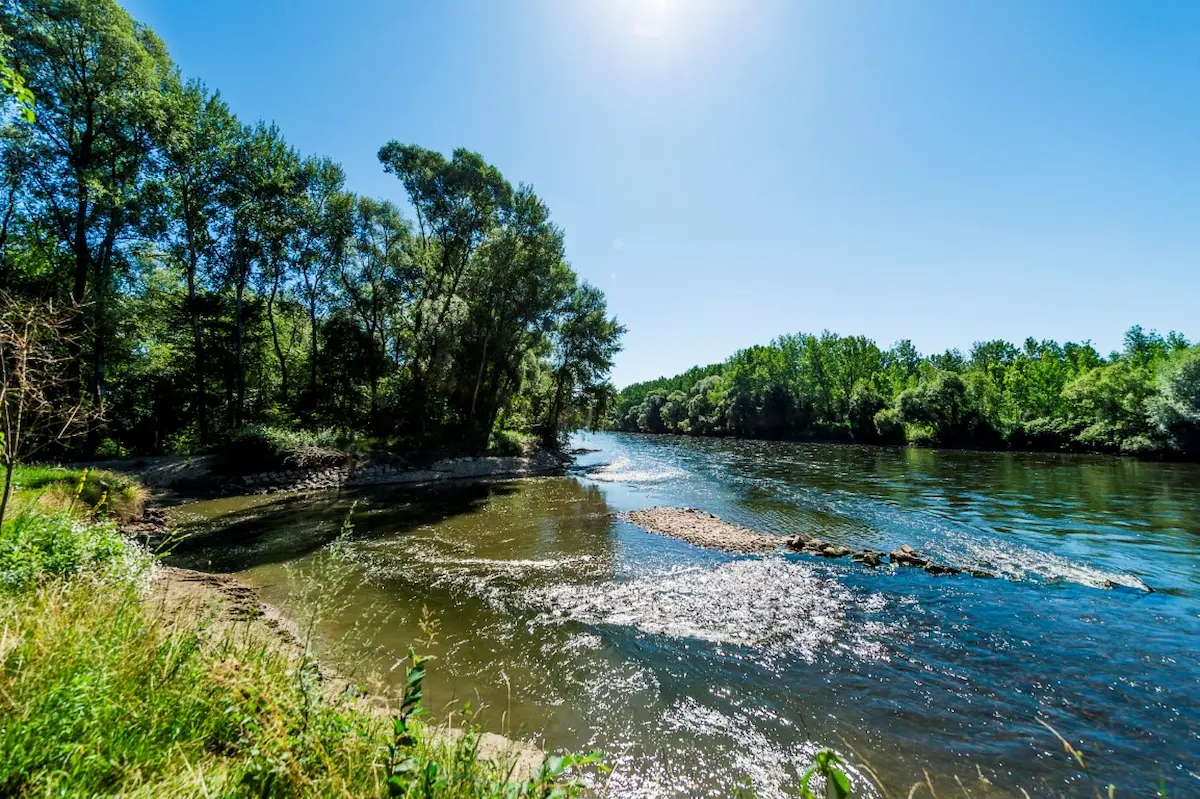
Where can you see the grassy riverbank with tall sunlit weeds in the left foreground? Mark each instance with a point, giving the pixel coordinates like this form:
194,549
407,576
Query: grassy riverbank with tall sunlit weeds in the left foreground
121,675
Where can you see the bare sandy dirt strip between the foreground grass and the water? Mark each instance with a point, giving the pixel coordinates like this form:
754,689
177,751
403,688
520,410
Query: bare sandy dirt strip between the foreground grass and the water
235,610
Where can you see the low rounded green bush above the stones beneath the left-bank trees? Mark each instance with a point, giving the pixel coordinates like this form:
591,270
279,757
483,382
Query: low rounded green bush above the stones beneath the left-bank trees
260,448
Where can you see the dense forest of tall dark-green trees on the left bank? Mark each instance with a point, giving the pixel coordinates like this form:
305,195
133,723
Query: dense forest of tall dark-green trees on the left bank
218,279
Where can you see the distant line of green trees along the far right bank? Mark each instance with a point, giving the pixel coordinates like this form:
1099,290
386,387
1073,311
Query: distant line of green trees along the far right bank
1040,397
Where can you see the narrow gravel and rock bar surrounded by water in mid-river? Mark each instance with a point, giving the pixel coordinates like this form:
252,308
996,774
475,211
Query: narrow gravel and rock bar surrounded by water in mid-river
705,530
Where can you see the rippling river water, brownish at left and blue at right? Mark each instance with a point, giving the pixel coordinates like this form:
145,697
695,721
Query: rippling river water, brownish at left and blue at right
699,672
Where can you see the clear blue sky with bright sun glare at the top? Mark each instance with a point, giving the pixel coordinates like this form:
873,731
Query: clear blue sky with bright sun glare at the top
727,172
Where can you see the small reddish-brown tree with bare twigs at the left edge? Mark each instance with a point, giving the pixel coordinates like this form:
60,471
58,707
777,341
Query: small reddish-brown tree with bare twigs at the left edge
38,405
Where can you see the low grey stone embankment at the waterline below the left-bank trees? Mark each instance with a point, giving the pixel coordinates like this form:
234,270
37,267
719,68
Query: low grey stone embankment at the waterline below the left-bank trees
352,477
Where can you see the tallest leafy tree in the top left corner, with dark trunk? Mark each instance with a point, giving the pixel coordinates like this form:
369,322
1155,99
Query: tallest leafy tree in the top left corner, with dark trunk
99,79
